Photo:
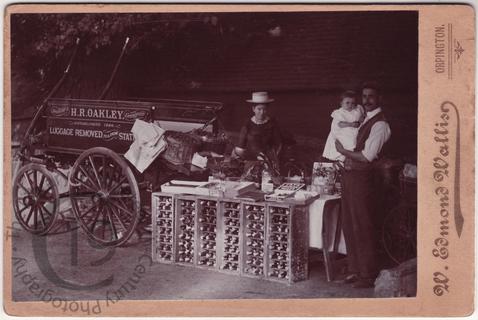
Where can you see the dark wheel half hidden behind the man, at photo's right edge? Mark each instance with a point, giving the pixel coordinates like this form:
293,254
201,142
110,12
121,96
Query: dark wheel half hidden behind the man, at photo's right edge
399,233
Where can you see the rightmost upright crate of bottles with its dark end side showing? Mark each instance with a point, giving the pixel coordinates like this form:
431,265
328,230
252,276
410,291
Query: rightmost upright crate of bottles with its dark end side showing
287,242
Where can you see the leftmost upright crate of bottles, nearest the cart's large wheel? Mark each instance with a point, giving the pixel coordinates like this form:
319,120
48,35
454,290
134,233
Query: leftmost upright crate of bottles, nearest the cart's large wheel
162,208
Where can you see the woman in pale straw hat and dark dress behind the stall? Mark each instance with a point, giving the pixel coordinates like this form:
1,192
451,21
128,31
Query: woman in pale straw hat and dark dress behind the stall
260,134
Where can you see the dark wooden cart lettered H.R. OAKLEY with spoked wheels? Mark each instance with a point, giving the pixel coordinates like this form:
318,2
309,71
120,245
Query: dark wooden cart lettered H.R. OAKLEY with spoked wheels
87,139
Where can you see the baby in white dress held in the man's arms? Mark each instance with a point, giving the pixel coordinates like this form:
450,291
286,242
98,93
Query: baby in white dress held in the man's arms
345,124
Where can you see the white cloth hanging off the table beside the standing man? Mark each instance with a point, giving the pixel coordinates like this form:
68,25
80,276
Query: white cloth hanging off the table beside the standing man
316,211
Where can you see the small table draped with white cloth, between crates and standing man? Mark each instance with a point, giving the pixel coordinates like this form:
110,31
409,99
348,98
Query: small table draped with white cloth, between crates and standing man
325,230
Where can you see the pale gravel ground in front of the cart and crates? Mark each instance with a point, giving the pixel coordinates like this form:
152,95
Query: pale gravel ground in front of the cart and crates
71,268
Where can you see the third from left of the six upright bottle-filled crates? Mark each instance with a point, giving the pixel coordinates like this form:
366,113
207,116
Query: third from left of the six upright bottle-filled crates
207,230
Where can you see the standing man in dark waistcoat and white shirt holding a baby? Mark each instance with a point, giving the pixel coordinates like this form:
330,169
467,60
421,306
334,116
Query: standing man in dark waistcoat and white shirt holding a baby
361,192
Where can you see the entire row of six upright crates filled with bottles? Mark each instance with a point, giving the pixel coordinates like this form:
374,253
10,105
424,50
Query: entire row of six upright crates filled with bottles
263,240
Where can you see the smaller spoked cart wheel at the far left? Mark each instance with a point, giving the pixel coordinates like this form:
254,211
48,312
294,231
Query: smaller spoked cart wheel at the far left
35,198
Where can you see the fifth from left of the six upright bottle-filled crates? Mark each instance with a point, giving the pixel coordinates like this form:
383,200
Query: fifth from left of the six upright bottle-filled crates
254,246
